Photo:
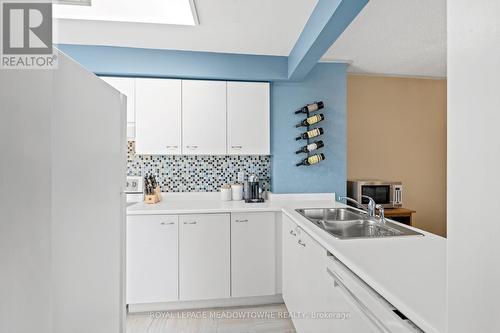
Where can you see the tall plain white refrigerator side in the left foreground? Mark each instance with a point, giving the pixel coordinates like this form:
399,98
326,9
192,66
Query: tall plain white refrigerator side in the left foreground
88,148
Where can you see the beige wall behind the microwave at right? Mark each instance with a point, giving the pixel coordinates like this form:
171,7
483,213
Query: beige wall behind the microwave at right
397,131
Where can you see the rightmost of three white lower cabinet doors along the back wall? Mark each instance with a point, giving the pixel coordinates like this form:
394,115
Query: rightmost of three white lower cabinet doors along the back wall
253,254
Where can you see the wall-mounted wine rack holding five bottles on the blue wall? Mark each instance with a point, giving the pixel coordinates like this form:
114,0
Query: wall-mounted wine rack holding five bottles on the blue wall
316,156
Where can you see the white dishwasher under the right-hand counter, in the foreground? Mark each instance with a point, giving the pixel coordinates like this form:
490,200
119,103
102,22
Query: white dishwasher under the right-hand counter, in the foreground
377,312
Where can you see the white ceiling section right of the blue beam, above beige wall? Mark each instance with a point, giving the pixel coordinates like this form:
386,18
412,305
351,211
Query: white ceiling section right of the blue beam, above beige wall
395,37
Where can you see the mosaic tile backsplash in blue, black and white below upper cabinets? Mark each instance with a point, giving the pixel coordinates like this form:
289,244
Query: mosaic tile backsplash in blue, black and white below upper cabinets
196,173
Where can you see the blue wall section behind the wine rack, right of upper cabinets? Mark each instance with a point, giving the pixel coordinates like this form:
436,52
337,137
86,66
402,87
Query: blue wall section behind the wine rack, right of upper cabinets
325,82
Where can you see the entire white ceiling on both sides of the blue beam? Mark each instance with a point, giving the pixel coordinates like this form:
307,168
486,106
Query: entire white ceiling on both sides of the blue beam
391,37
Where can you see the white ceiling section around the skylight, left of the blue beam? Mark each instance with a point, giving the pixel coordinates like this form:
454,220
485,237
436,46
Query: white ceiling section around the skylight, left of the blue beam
232,26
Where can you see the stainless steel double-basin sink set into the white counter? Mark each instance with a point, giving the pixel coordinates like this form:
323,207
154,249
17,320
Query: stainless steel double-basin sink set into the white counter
346,223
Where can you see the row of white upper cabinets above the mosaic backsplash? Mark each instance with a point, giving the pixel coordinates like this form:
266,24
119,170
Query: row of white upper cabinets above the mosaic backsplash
196,117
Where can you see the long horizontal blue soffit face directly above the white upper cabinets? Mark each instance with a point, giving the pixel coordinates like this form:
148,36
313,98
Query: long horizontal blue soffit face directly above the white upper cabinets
139,62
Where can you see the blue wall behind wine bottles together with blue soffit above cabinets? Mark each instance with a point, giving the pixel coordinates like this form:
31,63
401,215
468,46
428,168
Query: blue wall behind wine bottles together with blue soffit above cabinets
326,82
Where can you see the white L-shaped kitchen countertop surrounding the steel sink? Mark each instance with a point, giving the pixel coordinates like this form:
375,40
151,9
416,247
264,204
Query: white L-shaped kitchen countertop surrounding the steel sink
409,272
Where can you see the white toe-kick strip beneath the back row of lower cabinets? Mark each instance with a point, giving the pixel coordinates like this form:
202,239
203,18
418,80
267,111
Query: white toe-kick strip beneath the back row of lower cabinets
203,304
